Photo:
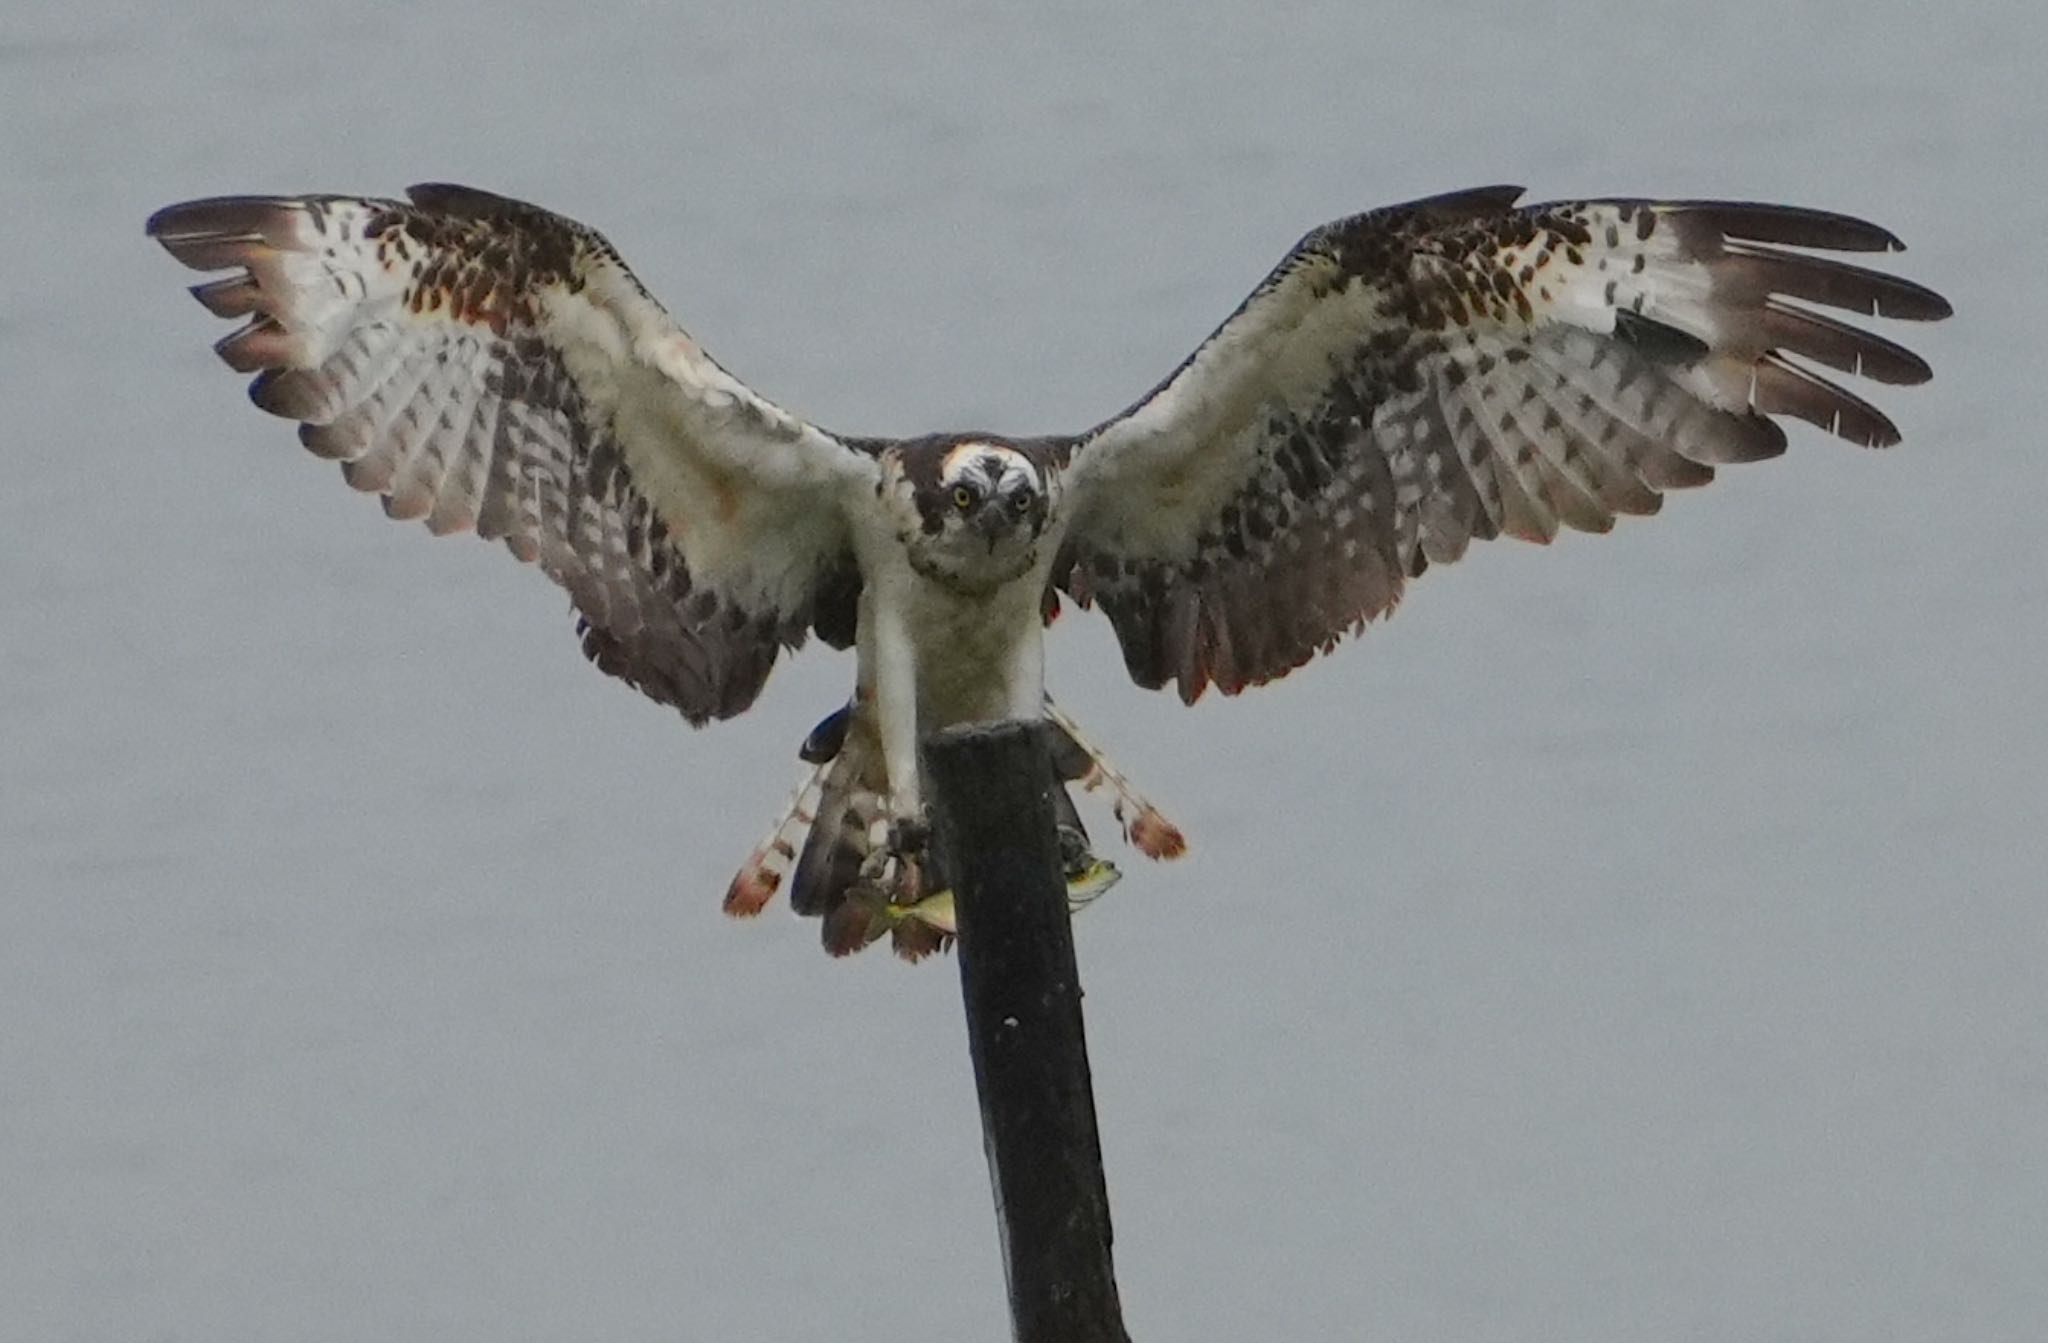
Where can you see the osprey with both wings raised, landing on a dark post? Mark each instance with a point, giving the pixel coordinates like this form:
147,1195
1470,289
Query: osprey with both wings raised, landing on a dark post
1402,384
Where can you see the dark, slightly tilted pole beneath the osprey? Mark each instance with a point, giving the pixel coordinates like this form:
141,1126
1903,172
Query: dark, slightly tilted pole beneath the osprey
996,840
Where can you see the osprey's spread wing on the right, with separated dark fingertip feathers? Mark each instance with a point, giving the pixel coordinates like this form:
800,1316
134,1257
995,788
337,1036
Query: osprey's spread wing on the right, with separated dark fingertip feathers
1453,370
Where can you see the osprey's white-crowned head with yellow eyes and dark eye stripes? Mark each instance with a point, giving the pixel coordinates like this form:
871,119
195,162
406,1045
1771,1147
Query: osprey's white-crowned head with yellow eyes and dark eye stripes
980,509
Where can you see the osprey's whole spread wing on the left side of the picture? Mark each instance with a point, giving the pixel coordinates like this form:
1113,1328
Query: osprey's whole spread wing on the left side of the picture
486,365
